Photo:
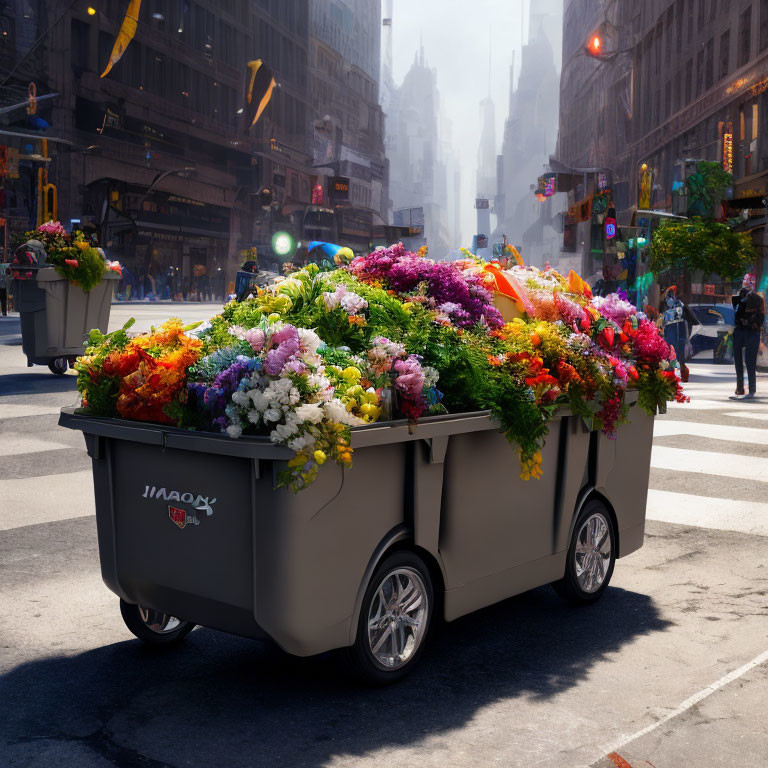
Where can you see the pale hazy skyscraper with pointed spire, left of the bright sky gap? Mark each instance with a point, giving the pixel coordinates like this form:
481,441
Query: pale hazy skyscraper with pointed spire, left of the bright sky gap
417,173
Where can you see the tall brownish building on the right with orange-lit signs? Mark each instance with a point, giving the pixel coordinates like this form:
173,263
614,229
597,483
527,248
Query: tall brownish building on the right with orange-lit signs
686,80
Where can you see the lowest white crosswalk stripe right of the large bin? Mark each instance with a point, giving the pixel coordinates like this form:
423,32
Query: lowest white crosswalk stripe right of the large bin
707,512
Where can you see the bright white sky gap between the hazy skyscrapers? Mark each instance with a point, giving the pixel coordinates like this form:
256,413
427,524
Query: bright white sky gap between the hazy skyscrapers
456,36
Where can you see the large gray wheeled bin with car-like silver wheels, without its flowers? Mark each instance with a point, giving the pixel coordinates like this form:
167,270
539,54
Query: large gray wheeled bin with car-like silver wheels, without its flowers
430,518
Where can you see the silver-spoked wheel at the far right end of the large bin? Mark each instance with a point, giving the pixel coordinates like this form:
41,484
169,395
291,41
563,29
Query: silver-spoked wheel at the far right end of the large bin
591,556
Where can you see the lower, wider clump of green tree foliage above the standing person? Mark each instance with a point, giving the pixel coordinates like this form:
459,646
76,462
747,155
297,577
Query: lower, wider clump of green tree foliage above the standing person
709,246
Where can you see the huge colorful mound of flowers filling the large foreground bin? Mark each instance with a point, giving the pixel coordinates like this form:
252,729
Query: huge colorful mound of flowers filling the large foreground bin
324,351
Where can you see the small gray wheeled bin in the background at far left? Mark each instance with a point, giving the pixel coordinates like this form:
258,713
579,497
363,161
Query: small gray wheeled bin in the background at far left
56,316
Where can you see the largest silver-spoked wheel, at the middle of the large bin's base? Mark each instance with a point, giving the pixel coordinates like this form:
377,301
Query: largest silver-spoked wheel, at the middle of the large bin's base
395,618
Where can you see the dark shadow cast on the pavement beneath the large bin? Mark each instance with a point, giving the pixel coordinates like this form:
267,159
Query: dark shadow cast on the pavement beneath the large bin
222,700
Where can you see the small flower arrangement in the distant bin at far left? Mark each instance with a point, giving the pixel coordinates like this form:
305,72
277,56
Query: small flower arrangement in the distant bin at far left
71,255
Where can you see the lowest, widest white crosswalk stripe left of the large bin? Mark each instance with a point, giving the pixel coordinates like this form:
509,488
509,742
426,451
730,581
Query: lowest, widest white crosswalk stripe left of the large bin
35,500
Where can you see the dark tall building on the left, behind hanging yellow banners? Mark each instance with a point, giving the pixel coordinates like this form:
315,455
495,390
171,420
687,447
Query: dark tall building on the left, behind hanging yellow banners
157,154
